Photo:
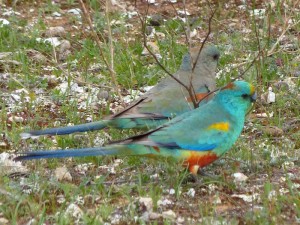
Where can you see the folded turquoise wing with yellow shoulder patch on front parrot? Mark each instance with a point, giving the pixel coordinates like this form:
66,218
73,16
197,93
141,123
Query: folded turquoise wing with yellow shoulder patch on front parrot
200,131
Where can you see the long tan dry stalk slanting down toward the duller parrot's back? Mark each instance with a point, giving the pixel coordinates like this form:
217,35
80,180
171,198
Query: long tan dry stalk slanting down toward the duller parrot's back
96,38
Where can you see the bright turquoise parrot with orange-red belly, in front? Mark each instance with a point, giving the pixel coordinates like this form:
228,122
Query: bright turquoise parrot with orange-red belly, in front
197,138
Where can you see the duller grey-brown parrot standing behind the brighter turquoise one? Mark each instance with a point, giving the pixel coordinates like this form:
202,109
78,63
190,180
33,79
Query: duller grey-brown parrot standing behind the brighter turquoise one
164,101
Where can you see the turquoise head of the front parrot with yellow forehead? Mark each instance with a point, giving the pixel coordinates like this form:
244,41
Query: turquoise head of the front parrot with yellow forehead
237,96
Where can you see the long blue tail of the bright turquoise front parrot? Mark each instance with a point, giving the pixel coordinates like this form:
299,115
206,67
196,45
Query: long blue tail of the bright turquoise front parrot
97,151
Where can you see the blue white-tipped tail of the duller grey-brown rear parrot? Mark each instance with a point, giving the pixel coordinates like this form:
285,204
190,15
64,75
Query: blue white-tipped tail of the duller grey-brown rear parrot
66,130
